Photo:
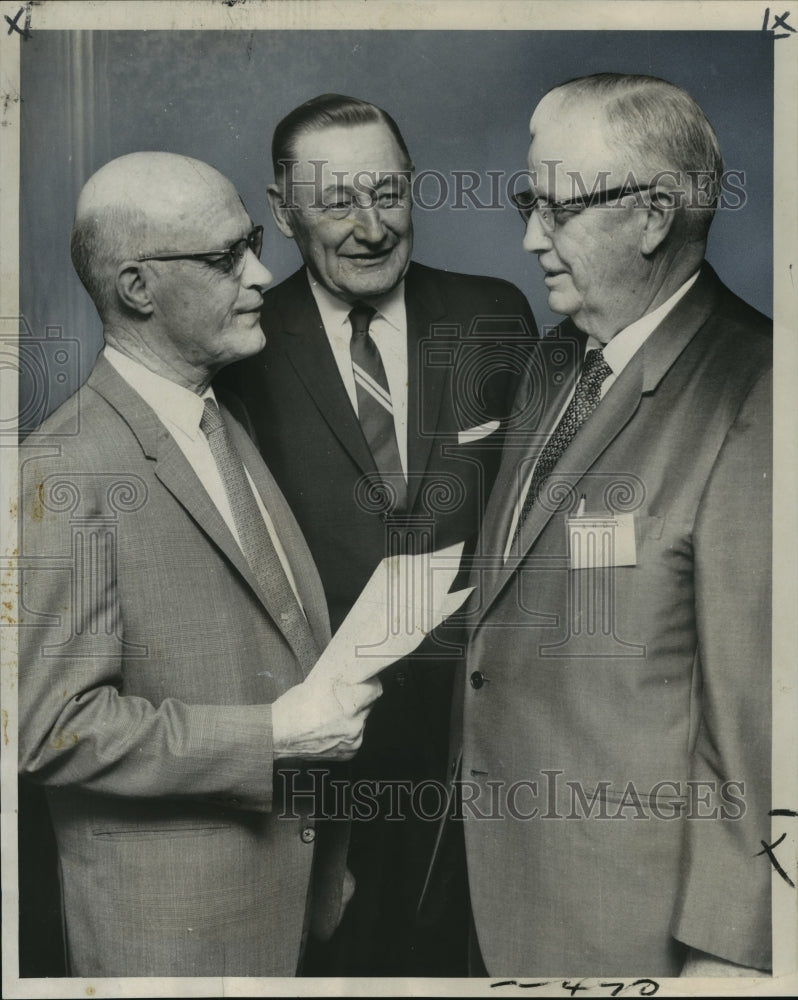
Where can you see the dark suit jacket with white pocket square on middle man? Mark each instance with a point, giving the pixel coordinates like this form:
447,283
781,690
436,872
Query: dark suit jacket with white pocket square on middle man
466,340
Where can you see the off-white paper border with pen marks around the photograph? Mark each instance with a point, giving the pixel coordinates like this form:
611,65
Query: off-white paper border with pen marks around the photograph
468,15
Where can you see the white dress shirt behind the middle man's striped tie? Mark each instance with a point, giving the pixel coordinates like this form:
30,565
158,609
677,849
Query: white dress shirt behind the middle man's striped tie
388,330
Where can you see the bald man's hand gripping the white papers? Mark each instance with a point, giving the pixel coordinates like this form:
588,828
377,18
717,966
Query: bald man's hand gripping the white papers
323,718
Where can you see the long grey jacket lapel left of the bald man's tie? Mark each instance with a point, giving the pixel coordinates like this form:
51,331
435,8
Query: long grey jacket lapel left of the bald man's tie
173,470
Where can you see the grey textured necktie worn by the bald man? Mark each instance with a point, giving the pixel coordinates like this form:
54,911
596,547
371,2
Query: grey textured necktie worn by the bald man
256,543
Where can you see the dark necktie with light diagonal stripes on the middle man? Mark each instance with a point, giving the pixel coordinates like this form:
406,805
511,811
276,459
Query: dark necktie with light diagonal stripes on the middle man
374,407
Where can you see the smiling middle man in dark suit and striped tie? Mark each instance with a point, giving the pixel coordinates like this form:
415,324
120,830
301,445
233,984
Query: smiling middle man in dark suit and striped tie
378,403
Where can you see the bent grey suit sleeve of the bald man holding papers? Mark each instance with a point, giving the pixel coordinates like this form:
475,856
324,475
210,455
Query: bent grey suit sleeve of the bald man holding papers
75,727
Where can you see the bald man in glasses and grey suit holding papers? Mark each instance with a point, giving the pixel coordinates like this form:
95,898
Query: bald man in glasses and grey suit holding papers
172,612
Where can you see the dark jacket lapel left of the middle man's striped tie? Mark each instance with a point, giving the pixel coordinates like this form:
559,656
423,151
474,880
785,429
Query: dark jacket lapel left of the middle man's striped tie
310,354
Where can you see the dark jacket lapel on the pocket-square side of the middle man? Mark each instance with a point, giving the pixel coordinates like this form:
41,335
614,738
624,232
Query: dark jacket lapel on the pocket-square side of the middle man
427,384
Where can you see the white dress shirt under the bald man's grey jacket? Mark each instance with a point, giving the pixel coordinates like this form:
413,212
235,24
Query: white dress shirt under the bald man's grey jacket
180,411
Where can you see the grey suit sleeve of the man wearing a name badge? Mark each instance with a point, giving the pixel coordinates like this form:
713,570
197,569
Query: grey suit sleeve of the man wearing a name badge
725,898
